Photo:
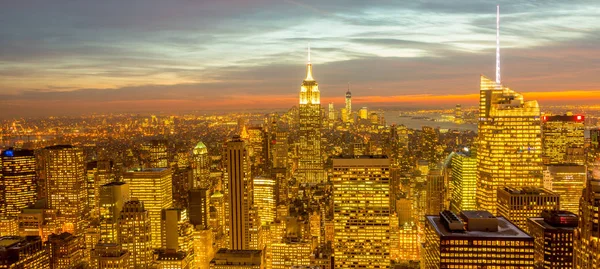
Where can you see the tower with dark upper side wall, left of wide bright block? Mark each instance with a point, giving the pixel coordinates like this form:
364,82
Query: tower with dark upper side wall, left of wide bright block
112,198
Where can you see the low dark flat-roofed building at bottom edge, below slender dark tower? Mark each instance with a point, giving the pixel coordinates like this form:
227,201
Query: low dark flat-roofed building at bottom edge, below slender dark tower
237,259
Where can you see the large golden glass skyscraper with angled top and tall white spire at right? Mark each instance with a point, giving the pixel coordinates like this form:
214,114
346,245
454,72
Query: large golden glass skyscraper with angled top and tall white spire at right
510,142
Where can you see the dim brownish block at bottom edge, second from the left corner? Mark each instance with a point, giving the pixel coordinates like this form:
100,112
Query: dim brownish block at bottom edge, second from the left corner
65,251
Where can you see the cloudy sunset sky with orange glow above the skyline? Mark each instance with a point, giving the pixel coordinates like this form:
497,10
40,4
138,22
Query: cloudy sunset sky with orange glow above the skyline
65,56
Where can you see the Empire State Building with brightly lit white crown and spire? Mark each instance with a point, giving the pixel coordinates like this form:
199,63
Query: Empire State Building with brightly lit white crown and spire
310,164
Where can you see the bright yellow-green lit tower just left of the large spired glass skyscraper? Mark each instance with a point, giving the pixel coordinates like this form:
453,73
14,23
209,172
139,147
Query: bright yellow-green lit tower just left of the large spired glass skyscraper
463,182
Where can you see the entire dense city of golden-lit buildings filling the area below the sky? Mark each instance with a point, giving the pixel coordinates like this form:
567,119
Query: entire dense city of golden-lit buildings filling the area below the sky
307,188
